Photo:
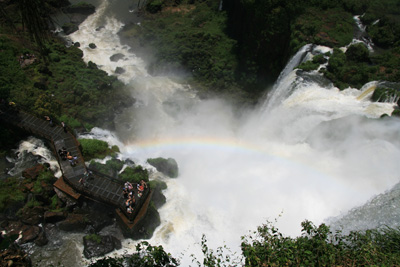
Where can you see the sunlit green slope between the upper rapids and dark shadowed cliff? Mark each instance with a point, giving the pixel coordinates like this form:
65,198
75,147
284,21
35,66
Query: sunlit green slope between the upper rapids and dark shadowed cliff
189,37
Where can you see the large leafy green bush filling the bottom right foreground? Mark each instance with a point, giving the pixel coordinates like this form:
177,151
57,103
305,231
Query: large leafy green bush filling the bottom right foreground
318,246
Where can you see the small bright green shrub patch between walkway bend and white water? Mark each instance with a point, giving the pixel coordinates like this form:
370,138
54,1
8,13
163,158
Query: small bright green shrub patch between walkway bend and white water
93,148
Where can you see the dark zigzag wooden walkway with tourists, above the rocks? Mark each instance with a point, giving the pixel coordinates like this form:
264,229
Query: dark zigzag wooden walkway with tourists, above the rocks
97,186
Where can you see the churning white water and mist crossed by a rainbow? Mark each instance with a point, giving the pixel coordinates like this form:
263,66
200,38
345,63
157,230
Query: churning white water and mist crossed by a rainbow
312,153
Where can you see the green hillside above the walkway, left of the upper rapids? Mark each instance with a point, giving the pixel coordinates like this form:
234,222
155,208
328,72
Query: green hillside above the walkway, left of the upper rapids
52,79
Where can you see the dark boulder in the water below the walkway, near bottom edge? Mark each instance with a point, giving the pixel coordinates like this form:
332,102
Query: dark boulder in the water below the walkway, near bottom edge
95,245
